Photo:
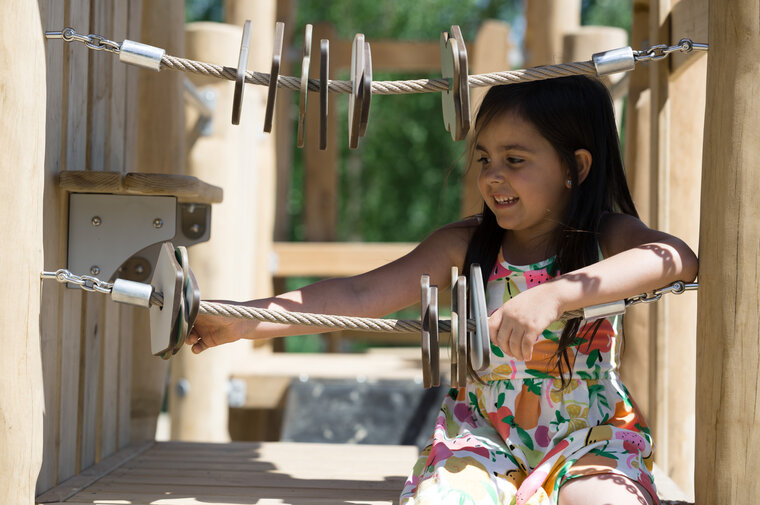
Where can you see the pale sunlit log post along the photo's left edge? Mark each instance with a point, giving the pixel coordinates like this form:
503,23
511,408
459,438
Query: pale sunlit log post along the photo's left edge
22,137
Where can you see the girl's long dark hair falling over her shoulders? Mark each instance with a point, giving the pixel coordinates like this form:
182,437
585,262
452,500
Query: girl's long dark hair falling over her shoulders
571,113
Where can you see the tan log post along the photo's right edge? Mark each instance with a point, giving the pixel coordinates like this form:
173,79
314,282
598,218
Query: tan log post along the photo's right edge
728,329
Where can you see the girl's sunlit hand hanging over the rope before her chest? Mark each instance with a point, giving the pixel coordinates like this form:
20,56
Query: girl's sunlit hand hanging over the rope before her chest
516,326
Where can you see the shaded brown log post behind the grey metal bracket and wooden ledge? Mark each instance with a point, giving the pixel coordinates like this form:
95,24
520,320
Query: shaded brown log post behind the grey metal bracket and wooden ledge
160,149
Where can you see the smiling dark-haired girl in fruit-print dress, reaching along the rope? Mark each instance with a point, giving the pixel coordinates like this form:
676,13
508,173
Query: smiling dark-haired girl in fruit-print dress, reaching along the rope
549,421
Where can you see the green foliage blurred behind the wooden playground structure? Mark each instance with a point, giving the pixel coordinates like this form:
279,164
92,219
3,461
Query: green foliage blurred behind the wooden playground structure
405,178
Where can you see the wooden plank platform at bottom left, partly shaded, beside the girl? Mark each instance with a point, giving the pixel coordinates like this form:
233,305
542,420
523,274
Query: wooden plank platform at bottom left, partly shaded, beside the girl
242,473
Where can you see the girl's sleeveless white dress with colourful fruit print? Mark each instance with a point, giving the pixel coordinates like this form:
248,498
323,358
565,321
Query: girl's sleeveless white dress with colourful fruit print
515,438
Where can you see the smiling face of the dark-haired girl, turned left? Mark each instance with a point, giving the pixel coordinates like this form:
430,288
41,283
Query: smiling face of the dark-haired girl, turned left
522,179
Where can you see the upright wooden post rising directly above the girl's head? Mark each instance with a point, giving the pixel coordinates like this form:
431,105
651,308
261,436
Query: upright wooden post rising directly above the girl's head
546,22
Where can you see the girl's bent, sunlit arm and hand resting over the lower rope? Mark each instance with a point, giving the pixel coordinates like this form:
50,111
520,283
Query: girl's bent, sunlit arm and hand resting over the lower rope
637,259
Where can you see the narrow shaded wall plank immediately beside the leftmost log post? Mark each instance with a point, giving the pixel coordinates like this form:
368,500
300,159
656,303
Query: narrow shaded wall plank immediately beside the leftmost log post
52,11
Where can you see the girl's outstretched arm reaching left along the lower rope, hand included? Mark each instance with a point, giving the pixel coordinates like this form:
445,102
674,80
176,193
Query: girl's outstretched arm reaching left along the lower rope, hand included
371,294
